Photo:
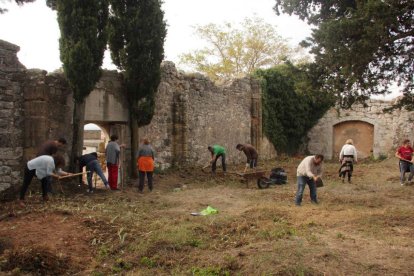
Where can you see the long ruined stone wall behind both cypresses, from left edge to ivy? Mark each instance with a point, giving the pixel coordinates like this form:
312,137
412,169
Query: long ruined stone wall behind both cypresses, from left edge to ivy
191,113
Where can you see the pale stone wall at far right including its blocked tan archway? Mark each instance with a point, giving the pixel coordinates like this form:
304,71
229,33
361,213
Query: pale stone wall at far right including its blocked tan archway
374,132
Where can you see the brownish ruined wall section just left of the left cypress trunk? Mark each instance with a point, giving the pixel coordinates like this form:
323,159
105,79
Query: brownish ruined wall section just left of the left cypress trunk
48,110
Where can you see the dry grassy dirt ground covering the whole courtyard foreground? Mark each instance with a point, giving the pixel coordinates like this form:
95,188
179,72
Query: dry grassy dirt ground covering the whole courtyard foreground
363,228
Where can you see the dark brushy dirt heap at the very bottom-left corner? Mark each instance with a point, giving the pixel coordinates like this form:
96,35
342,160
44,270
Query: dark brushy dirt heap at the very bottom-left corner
38,261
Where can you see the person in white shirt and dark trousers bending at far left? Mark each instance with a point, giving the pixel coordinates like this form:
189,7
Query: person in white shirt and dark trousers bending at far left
43,167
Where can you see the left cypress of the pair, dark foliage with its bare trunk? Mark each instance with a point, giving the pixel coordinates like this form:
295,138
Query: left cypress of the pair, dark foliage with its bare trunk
82,44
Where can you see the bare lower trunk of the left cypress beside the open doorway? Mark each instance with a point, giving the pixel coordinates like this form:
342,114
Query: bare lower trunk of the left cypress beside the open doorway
77,140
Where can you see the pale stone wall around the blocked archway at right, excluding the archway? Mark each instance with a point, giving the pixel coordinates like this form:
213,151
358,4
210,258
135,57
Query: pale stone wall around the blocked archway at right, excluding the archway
389,128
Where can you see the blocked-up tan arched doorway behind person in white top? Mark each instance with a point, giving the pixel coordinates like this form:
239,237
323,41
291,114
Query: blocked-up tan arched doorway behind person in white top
361,132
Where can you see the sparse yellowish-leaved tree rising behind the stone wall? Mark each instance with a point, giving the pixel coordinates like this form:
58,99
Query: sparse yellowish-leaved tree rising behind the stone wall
237,51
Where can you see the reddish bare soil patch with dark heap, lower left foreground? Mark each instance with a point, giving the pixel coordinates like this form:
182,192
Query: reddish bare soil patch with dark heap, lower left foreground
47,243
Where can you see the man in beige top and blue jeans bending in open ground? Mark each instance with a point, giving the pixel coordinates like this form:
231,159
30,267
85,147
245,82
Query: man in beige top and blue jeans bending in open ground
308,172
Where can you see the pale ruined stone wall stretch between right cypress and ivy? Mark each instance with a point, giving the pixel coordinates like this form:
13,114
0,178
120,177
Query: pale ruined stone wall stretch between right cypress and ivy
192,113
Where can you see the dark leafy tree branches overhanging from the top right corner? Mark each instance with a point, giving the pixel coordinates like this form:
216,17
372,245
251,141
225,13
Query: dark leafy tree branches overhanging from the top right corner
361,46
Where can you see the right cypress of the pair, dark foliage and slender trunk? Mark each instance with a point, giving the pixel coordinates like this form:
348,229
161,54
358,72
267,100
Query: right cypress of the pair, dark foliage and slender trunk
136,39
